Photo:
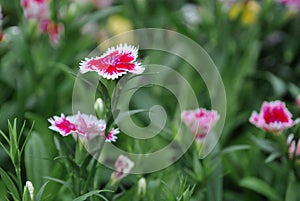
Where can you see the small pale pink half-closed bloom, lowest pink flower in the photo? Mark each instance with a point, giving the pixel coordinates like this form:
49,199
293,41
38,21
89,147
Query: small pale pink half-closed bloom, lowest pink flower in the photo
123,166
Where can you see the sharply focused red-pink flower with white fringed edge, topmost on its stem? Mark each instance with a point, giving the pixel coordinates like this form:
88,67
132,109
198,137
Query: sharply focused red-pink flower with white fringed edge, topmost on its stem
114,63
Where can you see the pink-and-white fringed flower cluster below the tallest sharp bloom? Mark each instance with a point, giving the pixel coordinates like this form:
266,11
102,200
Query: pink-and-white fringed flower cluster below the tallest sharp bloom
82,124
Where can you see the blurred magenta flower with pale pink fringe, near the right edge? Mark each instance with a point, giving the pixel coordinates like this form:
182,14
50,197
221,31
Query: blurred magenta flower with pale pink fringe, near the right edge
273,117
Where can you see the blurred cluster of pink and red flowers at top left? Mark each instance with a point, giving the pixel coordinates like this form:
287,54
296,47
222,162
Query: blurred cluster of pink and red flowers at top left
39,10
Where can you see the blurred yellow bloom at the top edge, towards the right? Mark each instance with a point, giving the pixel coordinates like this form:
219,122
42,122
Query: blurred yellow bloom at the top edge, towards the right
247,11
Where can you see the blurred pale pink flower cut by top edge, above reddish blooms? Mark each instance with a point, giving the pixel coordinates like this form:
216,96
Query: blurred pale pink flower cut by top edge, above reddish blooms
36,9
